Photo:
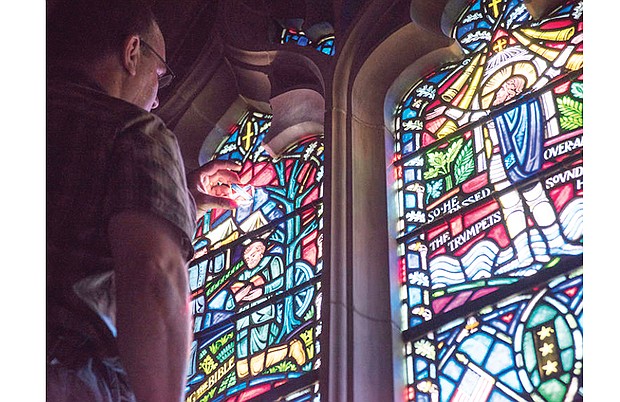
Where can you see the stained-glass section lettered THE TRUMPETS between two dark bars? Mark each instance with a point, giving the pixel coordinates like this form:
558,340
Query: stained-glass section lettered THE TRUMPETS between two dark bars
476,251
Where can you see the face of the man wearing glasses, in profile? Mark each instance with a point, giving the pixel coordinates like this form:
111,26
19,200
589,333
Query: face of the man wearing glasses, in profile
150,69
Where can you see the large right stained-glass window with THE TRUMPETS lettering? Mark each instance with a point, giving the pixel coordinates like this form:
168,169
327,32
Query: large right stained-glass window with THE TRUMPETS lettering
489,175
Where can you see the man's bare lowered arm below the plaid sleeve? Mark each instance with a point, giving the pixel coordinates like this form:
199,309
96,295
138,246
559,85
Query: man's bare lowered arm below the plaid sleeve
152,310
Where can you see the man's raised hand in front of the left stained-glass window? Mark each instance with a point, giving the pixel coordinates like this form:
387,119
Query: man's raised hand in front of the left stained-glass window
210,185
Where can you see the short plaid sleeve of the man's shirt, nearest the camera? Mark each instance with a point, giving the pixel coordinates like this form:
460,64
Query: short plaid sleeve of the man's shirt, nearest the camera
147,174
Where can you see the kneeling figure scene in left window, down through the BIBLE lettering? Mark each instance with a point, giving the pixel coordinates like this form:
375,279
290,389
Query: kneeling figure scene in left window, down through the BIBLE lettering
256,306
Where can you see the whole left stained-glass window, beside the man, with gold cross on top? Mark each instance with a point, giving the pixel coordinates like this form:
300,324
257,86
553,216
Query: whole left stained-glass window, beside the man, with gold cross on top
256,275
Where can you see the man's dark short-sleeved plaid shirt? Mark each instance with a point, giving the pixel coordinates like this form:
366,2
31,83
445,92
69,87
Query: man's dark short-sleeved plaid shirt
105,155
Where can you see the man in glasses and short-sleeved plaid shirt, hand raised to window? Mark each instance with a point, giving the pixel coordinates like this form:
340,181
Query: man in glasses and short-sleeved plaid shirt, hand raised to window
120,218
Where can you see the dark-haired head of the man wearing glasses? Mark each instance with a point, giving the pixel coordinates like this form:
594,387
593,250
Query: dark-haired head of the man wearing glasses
117,42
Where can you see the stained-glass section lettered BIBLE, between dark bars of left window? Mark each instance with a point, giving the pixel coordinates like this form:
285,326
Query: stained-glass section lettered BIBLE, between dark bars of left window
221,371
